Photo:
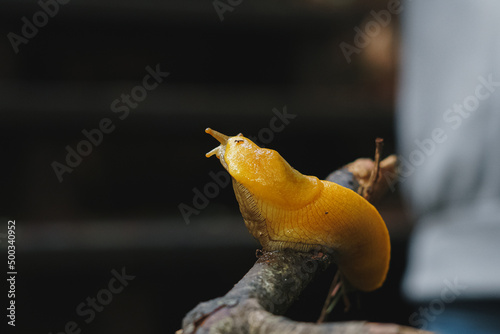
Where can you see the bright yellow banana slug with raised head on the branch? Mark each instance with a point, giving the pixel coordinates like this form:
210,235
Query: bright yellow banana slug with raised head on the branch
284,209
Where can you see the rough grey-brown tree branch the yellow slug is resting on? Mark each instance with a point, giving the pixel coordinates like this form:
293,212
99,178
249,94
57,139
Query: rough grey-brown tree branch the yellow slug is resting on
257,301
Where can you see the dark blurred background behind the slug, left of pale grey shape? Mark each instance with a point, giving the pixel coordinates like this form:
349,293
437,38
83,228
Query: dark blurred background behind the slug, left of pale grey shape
119,207
